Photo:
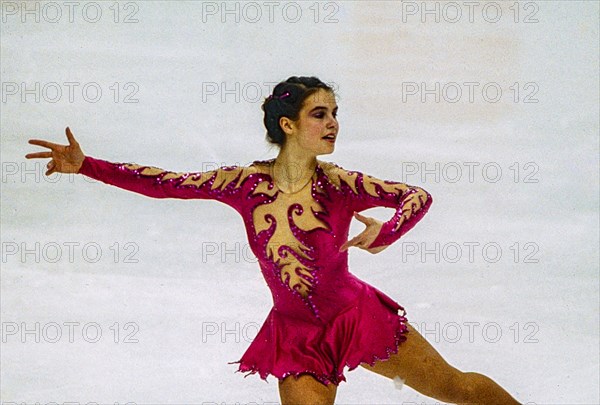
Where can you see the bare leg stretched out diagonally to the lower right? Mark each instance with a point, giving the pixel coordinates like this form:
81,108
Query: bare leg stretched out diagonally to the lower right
423,369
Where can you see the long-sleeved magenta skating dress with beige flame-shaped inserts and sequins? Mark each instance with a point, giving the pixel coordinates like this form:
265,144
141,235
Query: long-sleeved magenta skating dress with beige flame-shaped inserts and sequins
323,317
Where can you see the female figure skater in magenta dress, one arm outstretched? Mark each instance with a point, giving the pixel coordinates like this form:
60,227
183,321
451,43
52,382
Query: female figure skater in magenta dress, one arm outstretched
297,212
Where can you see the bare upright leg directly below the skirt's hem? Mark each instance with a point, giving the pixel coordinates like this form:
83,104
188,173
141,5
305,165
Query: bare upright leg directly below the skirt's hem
305,390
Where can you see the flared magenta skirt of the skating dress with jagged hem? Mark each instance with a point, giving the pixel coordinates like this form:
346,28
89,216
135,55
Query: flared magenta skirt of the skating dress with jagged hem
354,337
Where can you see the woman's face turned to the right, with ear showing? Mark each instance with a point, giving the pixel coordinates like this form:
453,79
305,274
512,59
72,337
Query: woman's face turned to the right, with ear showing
316,119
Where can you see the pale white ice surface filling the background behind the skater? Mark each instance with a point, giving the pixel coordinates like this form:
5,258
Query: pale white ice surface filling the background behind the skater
544,301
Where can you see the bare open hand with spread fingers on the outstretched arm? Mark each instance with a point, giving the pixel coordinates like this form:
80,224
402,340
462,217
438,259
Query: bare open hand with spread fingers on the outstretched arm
64,158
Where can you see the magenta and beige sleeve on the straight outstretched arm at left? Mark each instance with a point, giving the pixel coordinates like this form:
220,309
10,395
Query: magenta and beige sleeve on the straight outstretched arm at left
223,184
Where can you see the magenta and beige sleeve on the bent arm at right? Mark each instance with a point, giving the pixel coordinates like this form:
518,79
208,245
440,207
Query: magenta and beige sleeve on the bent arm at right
410,202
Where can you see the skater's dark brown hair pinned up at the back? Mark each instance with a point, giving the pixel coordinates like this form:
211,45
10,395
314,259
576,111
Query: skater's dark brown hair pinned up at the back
299,89
